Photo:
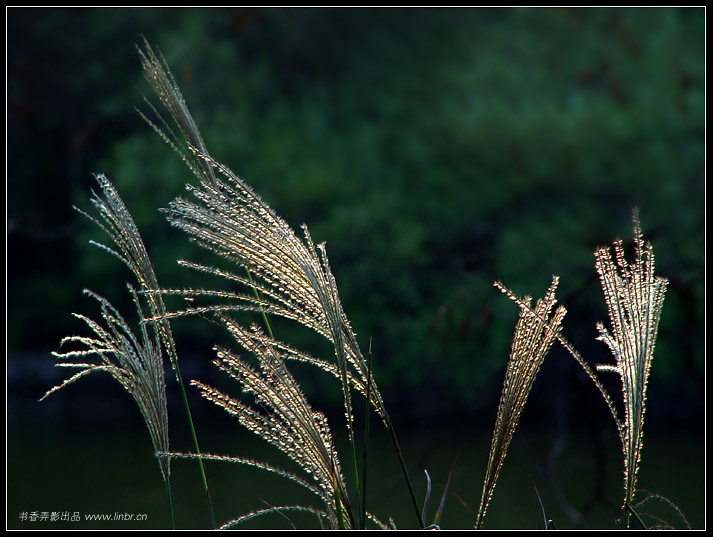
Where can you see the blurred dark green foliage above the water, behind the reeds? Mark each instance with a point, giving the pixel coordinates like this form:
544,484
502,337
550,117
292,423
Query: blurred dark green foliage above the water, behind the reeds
434,150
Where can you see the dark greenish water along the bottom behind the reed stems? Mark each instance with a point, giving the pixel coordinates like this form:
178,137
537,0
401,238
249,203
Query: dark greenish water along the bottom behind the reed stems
65,471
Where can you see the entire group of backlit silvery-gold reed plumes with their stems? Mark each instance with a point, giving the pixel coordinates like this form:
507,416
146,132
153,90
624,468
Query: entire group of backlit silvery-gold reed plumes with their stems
289,276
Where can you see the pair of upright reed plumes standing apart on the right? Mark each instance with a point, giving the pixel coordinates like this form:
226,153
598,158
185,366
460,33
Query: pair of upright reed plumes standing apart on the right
634,298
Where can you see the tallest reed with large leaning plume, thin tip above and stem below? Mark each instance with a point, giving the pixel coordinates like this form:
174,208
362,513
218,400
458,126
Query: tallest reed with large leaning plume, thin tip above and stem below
284,275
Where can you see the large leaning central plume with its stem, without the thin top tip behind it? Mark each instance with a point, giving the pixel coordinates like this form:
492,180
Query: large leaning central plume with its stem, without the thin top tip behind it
294,281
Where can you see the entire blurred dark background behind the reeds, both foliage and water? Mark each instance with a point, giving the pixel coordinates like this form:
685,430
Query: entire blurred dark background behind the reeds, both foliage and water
435,151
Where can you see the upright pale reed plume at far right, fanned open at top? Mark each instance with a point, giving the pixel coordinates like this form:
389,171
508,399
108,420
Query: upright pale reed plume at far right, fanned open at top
634,298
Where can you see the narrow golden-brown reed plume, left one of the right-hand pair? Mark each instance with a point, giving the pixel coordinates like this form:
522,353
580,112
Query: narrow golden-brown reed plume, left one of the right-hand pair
535,332
